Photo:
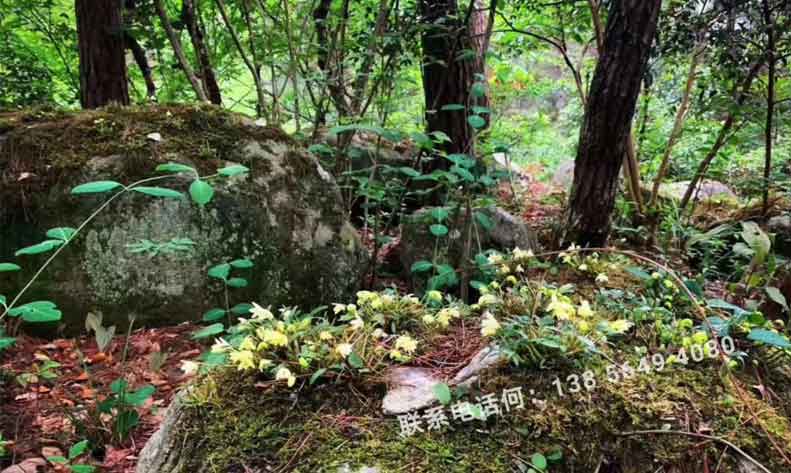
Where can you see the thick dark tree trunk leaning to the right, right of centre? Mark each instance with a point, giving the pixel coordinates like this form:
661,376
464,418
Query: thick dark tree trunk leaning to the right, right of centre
631,27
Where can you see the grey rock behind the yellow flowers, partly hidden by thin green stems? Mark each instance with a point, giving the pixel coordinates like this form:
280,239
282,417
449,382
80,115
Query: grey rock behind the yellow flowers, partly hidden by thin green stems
417,242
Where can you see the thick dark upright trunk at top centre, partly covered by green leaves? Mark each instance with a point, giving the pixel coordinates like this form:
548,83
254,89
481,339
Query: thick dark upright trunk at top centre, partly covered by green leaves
447,78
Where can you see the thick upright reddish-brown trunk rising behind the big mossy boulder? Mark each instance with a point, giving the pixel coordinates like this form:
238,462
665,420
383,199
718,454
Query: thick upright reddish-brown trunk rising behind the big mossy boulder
103,77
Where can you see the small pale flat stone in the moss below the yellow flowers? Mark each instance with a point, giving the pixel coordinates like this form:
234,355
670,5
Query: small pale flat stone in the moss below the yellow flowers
411,390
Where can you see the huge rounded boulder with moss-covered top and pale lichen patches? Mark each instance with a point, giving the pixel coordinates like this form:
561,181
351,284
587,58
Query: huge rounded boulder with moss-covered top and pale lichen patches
285,215
